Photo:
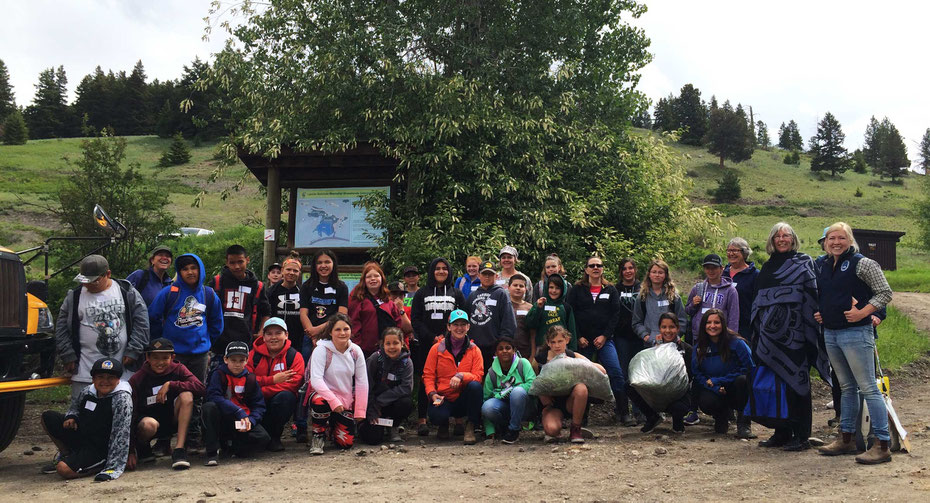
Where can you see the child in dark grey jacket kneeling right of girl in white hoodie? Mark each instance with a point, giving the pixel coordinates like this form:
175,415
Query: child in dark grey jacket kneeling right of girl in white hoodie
390,377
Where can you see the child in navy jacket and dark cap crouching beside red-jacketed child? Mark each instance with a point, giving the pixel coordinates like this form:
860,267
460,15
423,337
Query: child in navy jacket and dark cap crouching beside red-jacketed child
234,408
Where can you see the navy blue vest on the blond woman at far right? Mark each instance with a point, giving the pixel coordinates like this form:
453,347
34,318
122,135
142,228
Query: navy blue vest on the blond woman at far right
838,285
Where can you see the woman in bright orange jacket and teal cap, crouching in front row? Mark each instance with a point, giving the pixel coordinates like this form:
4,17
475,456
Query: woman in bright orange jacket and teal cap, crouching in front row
452,379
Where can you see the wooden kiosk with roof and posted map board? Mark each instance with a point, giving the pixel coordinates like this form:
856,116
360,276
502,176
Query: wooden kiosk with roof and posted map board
362,167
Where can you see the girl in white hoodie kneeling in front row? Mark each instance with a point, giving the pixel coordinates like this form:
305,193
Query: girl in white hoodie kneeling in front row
339,385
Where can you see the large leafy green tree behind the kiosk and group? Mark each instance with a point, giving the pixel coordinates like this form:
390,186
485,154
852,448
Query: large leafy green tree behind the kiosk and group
509,119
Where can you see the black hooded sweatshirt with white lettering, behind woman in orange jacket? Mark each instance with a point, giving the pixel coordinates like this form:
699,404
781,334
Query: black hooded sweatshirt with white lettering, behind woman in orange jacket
431,305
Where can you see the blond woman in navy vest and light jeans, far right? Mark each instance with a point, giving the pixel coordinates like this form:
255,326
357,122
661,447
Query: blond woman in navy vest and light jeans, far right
852,288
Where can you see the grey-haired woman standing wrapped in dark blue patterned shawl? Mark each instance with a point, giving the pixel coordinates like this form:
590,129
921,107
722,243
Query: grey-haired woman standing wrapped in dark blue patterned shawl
785,335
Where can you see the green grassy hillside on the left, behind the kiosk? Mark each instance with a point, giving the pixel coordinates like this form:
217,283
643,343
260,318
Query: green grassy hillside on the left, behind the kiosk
34,172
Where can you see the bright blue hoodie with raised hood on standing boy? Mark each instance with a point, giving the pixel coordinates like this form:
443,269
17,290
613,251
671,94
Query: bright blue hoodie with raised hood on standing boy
194,318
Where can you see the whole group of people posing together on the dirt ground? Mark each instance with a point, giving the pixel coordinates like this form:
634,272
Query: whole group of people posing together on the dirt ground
225,363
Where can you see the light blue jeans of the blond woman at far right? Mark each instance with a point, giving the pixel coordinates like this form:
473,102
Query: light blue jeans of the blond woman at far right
852,354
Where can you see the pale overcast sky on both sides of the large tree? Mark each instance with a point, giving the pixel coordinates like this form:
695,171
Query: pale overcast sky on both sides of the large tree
791,59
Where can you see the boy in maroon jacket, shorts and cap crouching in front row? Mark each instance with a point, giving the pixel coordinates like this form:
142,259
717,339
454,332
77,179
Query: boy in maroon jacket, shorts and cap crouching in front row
163,392
